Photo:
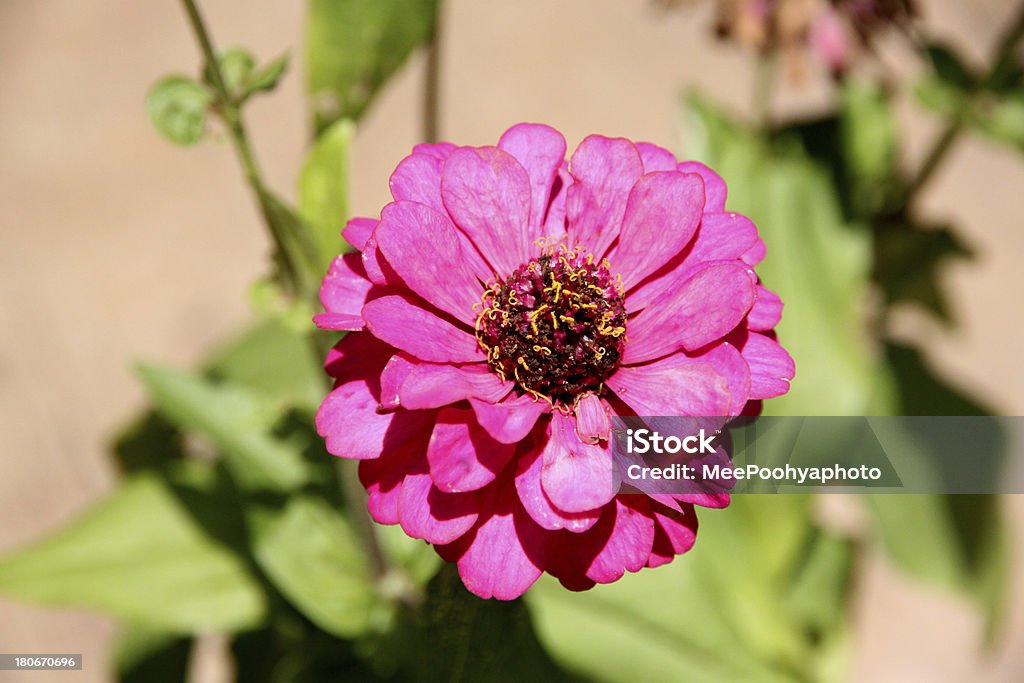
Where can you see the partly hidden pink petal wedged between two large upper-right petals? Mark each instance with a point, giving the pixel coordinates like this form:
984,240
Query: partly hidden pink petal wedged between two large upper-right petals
721,237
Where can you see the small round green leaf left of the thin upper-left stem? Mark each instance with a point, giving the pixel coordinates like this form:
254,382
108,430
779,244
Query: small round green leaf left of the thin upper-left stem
178,107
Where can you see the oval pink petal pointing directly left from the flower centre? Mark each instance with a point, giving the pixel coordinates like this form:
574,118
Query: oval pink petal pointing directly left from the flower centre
398,321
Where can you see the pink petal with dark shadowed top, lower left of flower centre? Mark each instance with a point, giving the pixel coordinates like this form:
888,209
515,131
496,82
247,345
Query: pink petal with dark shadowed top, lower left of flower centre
462,455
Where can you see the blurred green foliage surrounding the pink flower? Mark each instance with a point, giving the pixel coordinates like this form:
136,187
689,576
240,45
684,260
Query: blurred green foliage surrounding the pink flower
232,518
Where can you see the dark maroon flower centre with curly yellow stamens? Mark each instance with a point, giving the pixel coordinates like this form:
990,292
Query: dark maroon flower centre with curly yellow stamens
557,325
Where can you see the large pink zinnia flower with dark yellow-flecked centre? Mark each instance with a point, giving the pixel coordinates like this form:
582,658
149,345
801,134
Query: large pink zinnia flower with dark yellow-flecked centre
503,308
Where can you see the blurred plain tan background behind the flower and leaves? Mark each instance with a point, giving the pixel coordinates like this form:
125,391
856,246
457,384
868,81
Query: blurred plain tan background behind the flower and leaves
115,246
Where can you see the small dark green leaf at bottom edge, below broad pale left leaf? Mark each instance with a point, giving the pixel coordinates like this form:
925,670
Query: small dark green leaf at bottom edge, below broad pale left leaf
146,656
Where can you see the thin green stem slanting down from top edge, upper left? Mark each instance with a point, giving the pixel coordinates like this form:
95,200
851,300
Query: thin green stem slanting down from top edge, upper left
293,254
